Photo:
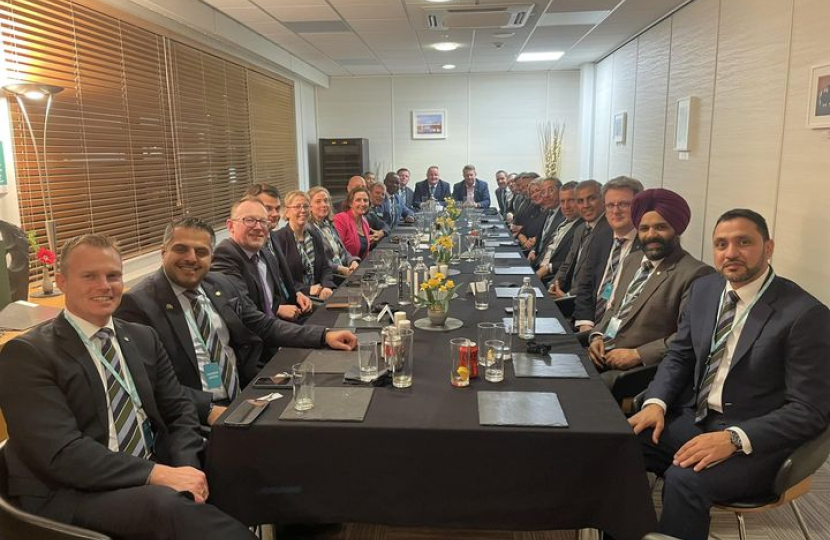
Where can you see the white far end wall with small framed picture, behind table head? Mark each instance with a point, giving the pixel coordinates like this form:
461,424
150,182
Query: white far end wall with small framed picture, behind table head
492,120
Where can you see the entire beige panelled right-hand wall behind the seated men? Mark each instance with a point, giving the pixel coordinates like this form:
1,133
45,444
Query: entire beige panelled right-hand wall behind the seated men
746,65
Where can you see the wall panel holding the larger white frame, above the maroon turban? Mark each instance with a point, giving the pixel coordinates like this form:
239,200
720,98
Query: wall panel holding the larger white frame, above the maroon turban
692,73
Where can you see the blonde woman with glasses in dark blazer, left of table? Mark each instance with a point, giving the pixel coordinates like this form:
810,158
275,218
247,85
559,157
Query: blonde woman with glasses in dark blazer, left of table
304,249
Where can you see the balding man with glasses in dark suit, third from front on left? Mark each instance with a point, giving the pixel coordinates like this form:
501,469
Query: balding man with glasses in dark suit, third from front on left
259,272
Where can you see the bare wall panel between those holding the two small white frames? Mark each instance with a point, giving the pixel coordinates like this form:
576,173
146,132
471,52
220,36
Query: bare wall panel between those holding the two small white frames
648,136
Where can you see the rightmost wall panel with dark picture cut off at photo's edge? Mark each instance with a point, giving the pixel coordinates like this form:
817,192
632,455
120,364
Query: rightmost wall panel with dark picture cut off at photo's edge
802,219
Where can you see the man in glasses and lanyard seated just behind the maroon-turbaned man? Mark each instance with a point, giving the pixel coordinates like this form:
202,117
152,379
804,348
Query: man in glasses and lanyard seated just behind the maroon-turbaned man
595,289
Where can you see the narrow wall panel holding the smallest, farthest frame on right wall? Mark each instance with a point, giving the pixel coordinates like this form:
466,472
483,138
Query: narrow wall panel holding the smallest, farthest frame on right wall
622,100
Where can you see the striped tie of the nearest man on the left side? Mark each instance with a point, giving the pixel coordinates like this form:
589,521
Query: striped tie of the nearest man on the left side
123,409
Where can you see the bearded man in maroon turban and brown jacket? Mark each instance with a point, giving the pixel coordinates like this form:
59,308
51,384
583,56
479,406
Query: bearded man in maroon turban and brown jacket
642,320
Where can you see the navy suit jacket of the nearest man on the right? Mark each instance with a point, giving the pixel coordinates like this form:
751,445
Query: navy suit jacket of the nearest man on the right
779,380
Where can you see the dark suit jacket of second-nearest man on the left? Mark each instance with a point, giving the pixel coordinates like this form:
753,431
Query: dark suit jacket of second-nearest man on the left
153,303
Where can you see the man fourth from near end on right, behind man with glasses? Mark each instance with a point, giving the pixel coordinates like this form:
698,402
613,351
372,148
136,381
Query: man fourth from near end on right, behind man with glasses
590,205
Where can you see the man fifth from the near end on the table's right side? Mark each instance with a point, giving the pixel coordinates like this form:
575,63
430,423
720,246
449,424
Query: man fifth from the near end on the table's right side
551,252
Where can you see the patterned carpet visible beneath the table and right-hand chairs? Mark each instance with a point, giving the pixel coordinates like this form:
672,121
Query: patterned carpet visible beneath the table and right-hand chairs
777,524
